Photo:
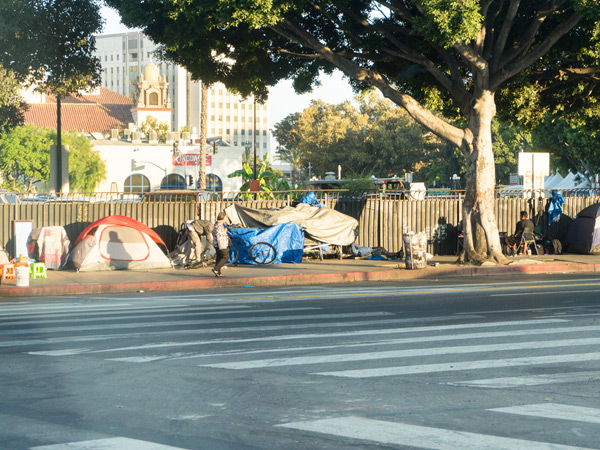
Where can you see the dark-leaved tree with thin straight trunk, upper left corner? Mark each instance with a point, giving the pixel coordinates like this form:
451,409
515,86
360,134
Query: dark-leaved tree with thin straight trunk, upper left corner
50,43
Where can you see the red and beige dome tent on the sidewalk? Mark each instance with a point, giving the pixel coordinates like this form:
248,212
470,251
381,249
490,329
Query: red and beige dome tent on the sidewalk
118,242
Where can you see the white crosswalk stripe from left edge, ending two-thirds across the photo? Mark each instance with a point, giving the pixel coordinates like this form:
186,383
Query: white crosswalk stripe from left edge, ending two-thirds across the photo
197,322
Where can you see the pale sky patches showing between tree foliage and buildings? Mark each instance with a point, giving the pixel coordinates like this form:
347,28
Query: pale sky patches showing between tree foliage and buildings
283,100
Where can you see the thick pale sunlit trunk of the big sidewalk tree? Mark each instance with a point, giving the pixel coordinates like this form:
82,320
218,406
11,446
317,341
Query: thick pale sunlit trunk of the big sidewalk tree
482,241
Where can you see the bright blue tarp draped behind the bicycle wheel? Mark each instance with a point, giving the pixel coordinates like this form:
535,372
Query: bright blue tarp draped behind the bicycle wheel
287,238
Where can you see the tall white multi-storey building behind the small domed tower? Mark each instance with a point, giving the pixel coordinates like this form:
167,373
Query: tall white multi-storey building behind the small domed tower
124,57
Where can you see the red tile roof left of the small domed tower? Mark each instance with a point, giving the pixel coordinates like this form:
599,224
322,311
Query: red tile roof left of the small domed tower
89,113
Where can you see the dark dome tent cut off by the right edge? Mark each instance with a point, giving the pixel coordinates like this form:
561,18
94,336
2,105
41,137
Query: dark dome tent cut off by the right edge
584,233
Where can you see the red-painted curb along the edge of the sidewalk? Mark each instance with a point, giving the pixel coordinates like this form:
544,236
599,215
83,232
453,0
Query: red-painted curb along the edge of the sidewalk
291,280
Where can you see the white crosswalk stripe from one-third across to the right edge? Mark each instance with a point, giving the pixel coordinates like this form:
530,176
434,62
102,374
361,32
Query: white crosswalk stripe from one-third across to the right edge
410,353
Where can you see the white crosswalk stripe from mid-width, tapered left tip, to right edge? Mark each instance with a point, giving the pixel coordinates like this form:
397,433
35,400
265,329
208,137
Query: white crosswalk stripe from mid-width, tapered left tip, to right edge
466,365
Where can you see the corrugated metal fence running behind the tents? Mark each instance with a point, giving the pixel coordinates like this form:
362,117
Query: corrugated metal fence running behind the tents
383,218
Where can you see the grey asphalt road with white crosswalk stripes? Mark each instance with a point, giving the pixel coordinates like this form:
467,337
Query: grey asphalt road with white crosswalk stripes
494,364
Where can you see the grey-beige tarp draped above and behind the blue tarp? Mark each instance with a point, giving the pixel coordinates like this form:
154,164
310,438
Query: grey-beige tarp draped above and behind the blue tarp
322,224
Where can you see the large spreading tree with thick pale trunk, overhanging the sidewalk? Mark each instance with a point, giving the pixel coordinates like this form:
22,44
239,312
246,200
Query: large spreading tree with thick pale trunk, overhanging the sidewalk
469,58
